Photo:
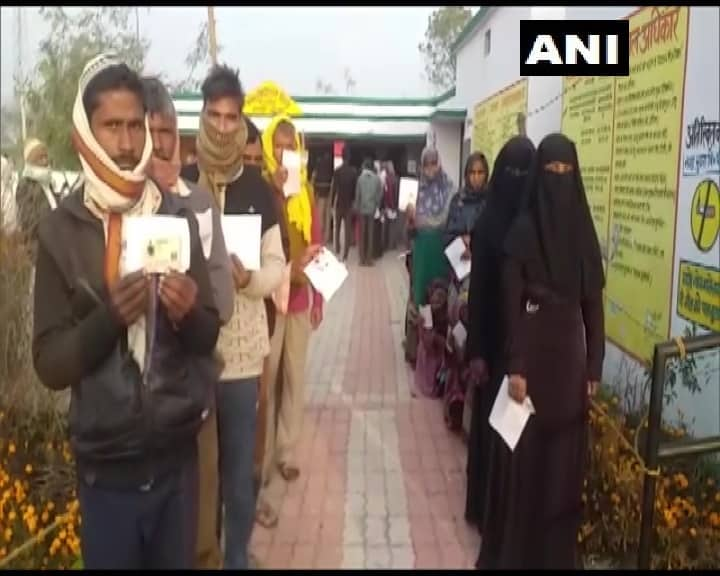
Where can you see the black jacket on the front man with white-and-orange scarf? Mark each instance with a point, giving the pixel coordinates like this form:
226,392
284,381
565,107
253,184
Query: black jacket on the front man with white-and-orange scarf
125,430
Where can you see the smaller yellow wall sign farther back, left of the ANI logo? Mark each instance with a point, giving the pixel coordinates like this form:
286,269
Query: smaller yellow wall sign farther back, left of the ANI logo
495,119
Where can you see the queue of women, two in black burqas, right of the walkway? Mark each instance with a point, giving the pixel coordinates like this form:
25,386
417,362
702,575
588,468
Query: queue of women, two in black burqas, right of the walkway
533,296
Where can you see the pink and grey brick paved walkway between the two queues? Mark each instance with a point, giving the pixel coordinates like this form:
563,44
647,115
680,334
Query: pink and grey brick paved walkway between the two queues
382,481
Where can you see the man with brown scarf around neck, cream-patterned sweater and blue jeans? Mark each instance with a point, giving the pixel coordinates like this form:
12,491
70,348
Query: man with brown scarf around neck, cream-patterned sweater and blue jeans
244,342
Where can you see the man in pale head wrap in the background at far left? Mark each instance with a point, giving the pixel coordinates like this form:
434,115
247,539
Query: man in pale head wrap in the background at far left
35,196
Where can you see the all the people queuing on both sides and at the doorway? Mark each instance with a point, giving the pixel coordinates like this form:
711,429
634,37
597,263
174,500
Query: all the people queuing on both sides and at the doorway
187,389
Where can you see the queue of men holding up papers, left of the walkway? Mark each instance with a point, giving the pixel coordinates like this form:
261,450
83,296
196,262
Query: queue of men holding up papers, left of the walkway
187,389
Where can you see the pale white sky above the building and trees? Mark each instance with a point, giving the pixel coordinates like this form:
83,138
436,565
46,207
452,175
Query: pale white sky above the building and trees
293,46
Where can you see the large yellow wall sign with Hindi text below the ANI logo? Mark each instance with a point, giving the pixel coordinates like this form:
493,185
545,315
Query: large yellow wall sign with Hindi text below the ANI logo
628,133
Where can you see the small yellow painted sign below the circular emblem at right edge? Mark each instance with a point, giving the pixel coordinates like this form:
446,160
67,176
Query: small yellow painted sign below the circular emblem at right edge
699,295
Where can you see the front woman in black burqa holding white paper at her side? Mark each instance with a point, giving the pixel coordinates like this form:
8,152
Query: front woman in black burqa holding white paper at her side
552,284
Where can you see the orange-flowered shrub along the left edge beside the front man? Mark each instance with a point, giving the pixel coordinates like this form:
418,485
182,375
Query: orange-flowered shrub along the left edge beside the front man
37,486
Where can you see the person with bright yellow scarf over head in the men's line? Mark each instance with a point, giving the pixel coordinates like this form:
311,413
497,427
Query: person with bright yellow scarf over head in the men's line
291,336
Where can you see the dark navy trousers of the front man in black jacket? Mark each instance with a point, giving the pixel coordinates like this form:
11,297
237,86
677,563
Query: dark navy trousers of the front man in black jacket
137,529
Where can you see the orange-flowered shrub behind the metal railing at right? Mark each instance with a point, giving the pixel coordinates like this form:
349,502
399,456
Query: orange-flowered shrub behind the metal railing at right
686,525
